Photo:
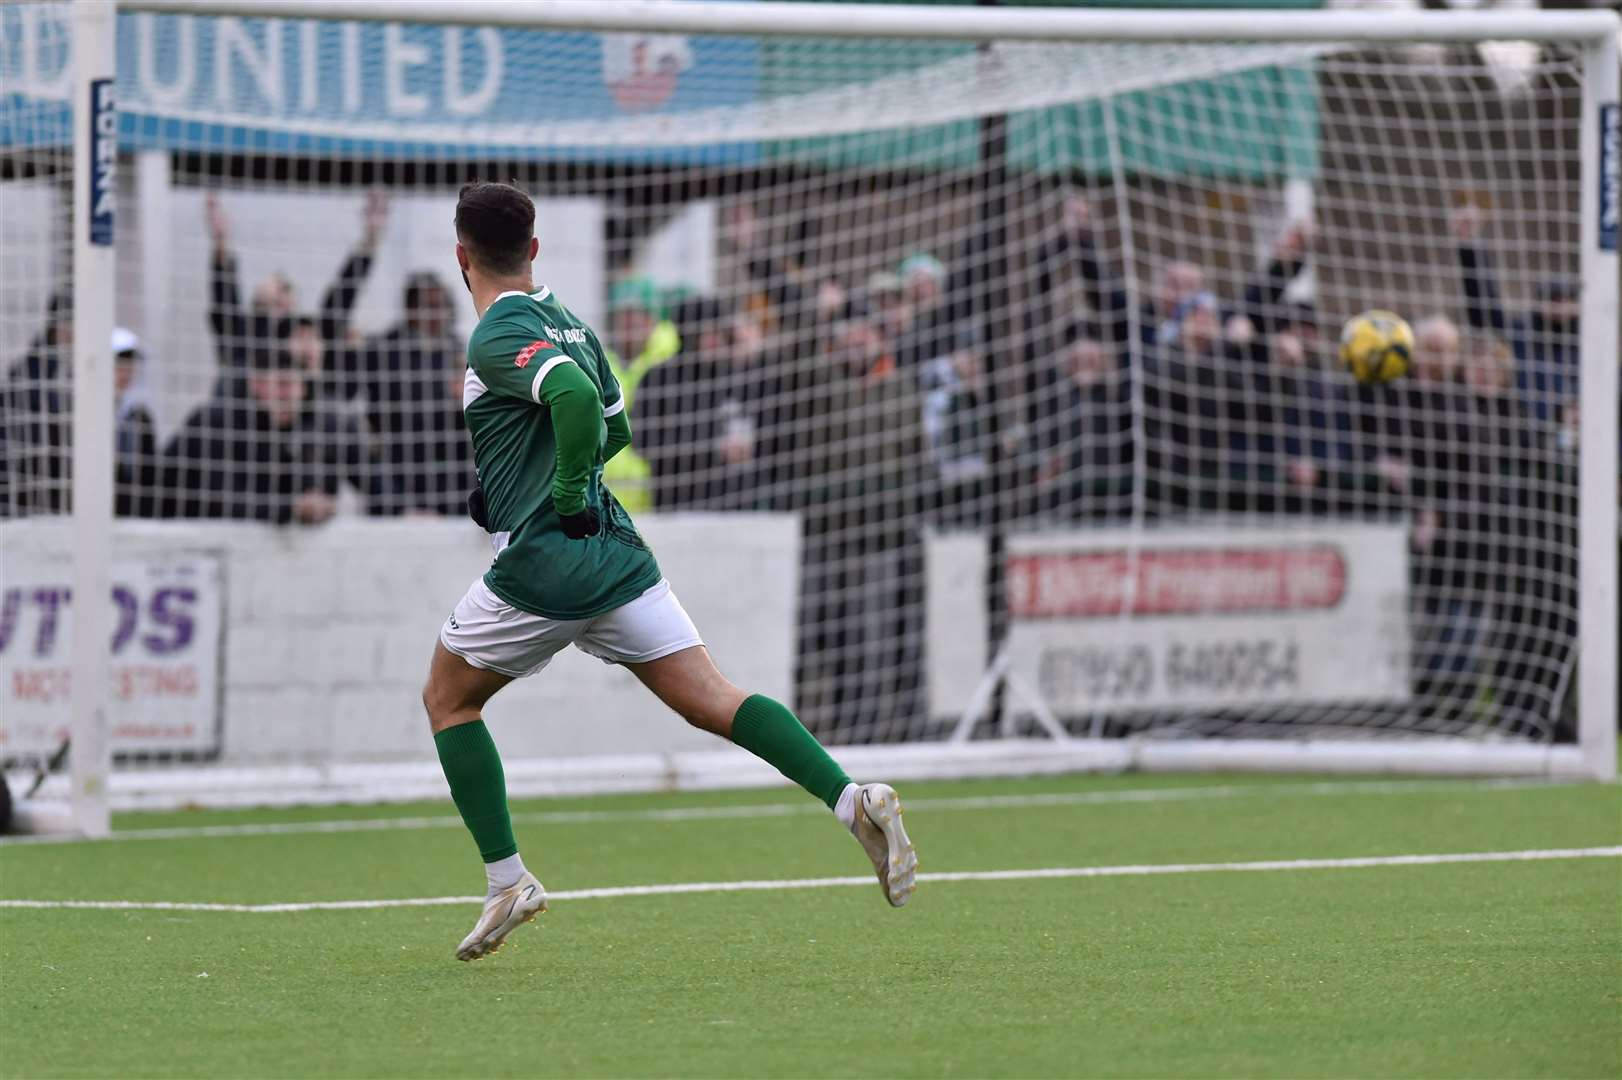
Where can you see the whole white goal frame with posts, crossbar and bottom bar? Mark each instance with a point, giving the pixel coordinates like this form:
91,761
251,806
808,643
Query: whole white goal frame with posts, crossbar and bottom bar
1594,756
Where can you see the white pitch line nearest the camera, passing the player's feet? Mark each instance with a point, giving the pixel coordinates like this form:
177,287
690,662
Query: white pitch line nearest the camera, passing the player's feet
841,883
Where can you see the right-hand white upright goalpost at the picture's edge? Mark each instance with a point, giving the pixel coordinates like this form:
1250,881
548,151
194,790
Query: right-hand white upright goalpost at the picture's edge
1597,547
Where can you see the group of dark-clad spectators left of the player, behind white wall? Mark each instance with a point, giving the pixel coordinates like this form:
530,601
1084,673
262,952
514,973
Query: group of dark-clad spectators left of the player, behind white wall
303,406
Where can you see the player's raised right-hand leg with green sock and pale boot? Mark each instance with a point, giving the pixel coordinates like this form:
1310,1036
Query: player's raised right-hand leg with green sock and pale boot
692,685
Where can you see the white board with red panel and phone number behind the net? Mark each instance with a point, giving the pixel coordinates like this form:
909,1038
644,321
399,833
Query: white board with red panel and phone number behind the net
1190,619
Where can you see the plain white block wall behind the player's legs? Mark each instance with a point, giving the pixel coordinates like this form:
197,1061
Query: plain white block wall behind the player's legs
328,635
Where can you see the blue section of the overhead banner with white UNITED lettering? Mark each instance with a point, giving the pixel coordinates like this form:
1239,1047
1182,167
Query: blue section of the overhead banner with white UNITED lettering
242,85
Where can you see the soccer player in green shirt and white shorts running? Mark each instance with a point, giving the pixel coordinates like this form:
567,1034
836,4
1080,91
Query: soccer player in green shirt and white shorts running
544,414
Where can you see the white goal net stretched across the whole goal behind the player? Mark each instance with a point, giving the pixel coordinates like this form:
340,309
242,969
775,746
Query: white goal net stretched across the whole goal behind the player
982,387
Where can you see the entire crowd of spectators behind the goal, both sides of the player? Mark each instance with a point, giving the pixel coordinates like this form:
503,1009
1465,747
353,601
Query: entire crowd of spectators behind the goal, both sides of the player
906,401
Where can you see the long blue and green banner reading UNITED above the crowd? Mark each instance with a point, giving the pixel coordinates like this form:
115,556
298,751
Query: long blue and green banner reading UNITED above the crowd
387,90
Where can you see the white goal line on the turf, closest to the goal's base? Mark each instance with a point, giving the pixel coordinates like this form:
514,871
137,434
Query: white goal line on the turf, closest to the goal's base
809,808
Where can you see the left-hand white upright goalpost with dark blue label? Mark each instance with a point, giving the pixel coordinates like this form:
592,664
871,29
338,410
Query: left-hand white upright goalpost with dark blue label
95,179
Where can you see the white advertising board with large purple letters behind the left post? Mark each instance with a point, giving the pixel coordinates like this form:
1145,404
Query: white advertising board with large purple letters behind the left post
166,653
